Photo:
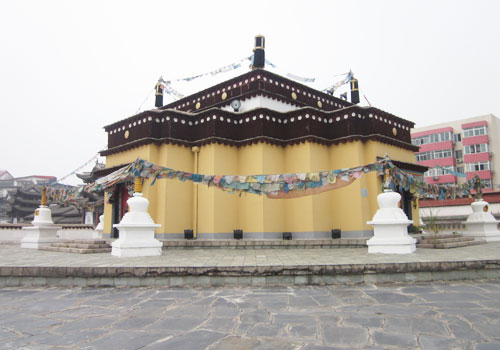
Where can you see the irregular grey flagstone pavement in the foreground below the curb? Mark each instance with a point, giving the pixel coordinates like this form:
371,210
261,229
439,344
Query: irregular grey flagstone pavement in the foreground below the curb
455,315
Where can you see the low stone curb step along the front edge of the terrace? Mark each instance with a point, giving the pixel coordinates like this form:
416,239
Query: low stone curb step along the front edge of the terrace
11,276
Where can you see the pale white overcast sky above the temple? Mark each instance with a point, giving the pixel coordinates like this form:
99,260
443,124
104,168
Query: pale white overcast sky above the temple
68,68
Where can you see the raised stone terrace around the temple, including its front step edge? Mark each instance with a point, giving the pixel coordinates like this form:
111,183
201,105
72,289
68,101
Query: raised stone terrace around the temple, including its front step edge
261,267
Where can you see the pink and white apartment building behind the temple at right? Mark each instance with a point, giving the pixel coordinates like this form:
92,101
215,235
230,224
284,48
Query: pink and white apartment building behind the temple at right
468,146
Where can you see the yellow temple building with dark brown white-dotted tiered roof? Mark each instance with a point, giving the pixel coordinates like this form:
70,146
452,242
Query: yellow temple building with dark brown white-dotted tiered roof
259,123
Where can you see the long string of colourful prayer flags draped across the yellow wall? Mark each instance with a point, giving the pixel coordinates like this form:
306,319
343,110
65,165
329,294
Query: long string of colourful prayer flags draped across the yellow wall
276,186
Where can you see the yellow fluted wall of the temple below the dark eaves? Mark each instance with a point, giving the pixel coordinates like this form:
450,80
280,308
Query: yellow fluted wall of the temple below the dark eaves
172,203
